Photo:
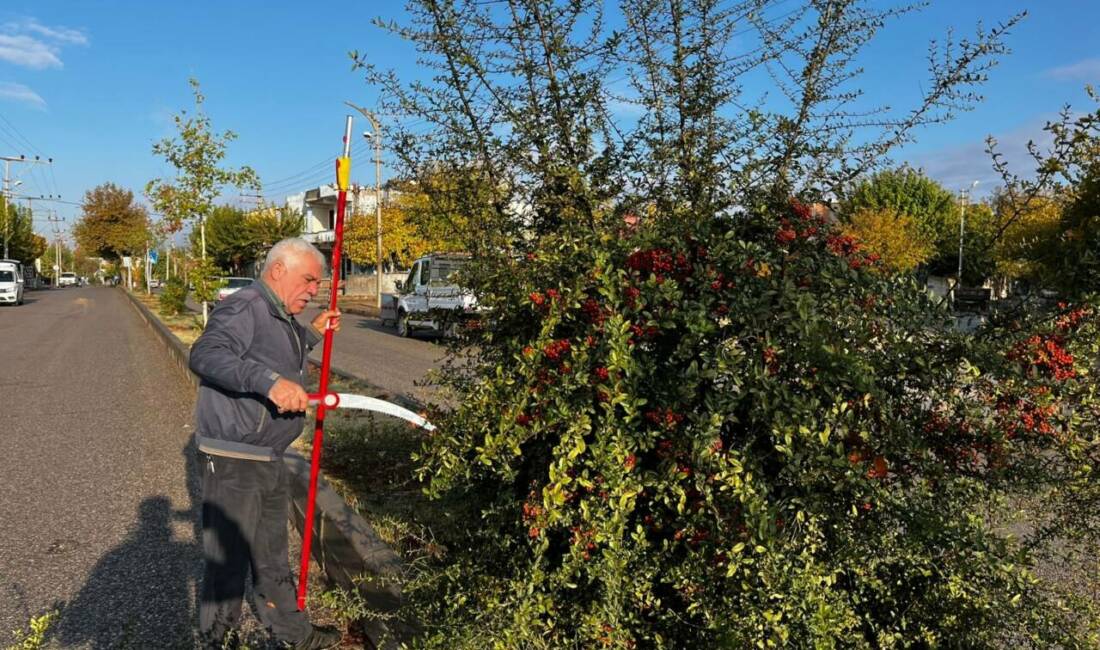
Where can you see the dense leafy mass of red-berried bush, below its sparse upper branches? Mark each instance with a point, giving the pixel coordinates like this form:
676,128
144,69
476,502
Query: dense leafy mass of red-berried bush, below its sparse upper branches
743,433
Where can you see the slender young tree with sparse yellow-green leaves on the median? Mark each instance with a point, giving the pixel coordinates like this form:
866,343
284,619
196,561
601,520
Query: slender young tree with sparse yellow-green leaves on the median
196,158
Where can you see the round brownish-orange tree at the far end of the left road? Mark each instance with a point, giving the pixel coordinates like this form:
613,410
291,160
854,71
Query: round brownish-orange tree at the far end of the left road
112,225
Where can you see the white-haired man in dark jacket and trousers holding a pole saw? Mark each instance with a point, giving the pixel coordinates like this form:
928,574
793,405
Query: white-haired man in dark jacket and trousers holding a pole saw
252,365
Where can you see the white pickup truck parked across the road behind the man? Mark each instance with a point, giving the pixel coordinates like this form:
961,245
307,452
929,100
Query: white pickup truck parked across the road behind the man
431,299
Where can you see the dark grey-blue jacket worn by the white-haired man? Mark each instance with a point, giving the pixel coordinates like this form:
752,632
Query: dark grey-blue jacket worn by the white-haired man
249,344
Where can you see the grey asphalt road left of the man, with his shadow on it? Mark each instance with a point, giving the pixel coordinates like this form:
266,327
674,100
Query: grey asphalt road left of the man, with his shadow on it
100,501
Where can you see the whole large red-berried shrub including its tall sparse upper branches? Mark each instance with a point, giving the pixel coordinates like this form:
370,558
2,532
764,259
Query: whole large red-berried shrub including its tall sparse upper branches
699,416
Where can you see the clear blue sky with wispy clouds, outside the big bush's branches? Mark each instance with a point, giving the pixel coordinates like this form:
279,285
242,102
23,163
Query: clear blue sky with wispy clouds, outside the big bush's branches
94,84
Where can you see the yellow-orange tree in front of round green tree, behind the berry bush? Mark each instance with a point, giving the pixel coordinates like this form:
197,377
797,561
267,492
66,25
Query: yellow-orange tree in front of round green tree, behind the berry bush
895,237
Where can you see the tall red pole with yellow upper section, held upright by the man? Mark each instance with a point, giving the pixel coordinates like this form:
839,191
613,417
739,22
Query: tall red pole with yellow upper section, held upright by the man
344,174
